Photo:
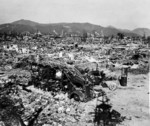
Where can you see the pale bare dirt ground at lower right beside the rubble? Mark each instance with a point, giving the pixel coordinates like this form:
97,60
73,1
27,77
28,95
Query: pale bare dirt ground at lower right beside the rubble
131,101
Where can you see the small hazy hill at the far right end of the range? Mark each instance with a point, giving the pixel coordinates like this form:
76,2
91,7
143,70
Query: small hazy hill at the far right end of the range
142,31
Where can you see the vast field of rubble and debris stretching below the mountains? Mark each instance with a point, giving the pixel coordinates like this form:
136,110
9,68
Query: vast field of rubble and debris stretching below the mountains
48,82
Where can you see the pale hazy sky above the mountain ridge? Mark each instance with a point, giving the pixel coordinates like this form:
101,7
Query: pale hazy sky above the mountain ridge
126,14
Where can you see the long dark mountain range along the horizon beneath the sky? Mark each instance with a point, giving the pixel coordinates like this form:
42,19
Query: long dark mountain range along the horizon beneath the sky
59,28
